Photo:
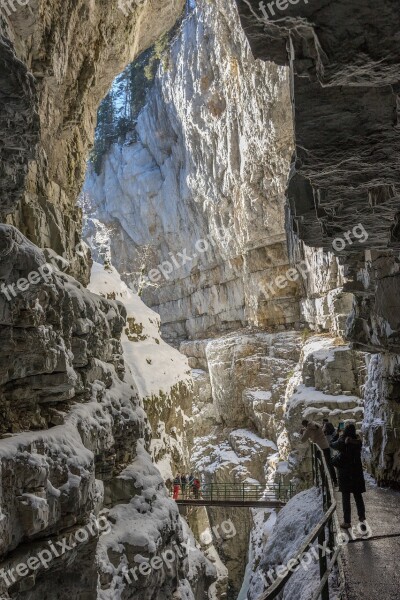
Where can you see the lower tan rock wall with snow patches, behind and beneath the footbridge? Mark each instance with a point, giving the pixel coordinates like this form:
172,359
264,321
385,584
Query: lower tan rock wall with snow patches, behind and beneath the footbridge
251,392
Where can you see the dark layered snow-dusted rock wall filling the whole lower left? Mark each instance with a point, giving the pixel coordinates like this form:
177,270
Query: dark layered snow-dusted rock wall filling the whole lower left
76,441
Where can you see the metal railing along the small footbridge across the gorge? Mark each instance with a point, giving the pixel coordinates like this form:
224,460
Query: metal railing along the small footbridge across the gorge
245,492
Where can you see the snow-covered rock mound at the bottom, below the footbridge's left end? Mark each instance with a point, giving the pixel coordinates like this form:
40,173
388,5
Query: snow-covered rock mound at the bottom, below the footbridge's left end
149,549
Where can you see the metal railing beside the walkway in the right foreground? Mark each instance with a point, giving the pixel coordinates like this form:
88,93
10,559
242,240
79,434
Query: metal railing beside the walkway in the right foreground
326,532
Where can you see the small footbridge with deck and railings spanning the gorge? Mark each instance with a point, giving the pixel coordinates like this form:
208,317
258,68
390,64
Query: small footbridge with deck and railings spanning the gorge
239,495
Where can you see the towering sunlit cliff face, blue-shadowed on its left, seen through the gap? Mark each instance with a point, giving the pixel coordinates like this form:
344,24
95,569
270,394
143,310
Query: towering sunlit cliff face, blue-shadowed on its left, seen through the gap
206,179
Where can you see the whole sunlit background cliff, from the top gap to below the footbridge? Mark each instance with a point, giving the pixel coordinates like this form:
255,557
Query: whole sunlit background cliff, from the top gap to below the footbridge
210,164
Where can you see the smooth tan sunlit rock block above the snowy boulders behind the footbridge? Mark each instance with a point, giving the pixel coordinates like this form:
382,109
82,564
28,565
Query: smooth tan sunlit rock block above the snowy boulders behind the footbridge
243,365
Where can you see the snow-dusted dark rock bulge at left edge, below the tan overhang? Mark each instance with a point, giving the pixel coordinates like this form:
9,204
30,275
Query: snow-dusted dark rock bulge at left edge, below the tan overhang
48,476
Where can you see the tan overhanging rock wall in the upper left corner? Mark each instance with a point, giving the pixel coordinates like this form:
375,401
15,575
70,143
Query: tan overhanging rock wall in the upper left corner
58,61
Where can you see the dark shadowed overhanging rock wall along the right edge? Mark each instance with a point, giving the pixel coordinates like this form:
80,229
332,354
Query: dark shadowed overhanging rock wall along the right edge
344,95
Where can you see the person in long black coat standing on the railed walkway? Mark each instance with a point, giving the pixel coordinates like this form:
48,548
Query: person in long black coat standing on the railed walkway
351,473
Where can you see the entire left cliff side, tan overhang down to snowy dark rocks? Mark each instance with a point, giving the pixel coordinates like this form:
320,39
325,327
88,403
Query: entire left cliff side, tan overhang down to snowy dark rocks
76,471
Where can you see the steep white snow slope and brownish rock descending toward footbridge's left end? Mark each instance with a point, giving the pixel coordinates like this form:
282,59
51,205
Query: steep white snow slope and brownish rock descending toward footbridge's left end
161,374
